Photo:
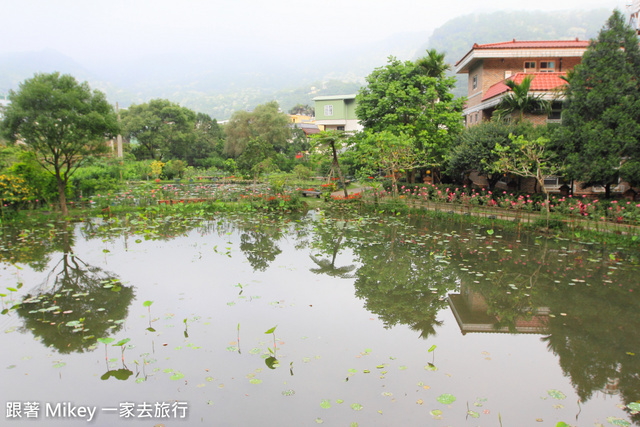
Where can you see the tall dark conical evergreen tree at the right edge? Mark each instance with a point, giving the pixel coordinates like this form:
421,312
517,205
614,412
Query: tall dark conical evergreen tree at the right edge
601,117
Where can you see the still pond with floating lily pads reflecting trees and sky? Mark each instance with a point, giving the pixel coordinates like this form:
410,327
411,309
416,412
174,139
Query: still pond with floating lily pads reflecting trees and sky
237,319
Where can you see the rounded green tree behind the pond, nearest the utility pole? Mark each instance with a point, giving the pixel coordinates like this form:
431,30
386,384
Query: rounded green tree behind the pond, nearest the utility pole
163,129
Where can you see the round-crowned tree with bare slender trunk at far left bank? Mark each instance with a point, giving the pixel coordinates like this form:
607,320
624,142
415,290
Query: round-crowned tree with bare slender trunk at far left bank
62,121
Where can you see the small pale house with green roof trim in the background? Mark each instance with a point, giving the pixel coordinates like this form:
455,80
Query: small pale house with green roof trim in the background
337,112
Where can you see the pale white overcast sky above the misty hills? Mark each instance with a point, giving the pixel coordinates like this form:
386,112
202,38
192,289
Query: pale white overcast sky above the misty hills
99,30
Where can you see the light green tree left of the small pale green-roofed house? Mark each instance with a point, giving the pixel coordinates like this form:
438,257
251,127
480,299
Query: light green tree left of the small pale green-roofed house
266,122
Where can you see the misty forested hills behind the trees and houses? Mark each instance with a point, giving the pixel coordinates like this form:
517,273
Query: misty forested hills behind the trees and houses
225,79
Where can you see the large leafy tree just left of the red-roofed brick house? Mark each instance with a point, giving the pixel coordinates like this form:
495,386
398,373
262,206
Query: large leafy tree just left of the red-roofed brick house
414,99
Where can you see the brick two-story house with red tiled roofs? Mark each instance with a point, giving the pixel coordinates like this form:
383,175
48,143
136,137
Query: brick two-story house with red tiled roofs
490,65
